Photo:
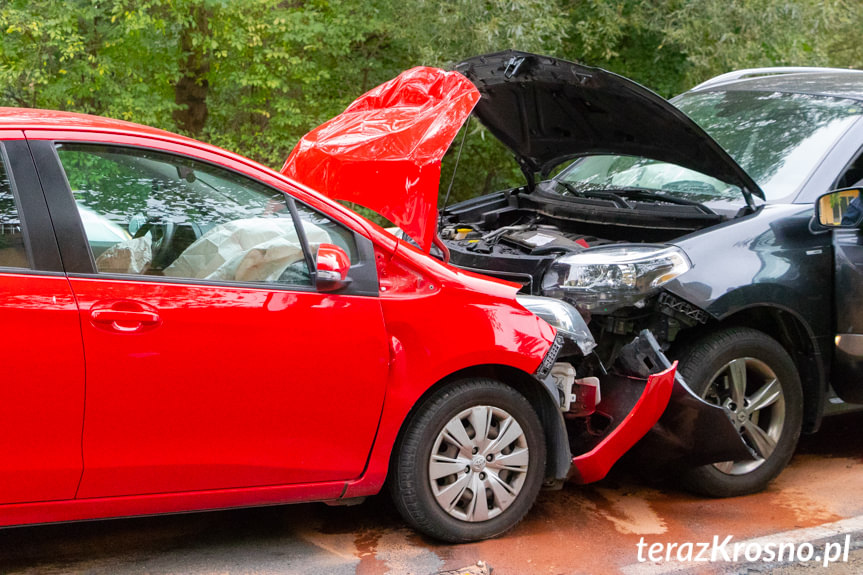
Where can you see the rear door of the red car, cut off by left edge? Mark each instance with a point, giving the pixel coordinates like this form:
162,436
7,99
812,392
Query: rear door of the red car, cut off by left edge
42,388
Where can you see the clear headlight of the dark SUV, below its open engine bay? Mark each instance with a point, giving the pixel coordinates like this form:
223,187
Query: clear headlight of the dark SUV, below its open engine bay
610,277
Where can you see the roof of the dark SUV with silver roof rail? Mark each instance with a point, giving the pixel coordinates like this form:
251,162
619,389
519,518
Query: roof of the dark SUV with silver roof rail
834,82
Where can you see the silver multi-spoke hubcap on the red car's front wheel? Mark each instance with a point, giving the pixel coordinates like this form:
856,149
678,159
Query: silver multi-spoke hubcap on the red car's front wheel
478,463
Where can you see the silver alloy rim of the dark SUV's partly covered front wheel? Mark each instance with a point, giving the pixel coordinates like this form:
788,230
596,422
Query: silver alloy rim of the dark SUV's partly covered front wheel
752,397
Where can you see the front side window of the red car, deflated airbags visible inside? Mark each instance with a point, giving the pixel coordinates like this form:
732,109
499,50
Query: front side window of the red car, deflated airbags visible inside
151,213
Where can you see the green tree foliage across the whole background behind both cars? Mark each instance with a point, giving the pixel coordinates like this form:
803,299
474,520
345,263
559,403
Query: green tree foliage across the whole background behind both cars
254,75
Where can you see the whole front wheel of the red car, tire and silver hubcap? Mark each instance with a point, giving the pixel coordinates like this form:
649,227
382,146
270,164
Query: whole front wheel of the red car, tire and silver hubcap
439,462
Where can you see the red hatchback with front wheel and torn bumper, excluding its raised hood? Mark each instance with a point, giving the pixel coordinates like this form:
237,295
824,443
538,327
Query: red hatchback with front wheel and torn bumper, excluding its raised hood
188,330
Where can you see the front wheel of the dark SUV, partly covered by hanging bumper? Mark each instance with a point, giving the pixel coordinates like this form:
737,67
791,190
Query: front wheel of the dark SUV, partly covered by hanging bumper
770,418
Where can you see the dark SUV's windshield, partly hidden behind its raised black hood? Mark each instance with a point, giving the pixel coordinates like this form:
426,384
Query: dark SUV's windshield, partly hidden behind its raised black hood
777,138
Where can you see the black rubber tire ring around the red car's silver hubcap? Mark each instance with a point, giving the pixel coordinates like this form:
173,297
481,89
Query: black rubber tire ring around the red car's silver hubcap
411,488
